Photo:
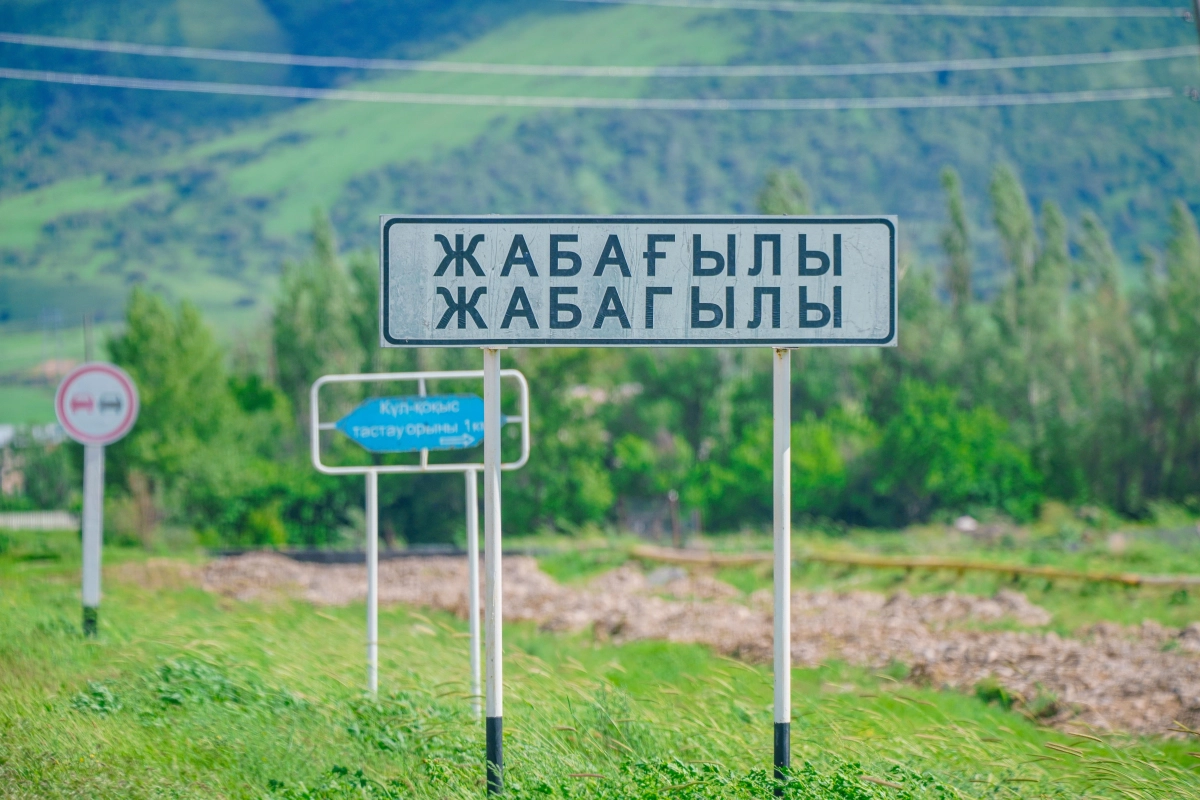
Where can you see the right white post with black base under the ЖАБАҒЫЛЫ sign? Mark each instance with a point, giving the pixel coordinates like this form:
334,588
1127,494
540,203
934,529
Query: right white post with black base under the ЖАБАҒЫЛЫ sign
783,525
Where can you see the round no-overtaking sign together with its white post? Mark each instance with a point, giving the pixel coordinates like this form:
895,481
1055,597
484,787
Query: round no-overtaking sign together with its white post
97,405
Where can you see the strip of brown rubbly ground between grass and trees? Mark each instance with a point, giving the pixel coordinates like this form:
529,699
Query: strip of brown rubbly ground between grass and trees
1141,679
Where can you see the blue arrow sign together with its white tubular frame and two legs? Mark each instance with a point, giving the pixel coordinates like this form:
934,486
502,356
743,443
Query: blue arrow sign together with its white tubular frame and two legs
371,431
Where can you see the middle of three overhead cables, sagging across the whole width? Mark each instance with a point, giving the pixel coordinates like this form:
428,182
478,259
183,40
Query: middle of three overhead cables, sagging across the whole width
568,71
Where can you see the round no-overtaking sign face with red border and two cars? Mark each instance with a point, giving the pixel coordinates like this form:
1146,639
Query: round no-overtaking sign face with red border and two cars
97,404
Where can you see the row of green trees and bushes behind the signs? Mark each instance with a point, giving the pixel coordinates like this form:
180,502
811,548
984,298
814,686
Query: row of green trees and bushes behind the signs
1061,383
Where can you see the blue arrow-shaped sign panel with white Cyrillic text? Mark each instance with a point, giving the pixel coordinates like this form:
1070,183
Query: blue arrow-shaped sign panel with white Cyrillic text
412,424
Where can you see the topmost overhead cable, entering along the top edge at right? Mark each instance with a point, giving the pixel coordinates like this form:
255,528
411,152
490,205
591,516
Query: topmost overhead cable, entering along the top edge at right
910,10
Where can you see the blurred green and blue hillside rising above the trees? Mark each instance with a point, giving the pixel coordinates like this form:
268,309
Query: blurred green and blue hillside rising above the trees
206,197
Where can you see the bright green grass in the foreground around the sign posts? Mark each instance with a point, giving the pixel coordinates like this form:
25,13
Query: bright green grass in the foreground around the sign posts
187,695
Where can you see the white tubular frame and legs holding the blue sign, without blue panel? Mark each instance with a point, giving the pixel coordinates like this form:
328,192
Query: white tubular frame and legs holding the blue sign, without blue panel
470,471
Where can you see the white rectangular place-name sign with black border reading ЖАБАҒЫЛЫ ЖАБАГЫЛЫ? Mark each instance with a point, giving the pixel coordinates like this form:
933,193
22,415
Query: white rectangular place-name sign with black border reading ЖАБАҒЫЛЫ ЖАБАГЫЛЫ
767,281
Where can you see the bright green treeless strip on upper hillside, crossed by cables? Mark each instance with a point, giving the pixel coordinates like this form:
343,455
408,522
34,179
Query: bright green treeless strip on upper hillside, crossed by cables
332,152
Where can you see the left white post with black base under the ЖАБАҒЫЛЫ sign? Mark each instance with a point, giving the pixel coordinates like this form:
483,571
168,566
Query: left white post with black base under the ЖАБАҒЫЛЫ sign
495,712
